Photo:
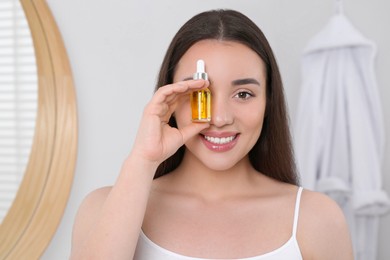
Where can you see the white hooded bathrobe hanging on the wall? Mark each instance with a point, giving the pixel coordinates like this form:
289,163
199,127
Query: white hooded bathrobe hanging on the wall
339,130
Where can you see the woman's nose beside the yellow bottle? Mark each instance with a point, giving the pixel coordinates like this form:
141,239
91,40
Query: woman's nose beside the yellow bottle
221,113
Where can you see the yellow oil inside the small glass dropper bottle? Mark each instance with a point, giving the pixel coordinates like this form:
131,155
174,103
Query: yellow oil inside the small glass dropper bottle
201,105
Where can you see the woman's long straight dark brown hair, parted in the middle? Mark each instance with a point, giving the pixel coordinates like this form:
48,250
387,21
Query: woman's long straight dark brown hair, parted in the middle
272,154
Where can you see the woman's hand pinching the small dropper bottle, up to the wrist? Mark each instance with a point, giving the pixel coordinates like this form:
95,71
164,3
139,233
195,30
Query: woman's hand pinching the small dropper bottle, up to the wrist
156,140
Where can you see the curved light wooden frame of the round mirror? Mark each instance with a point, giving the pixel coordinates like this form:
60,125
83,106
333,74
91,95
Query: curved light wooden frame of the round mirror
41,199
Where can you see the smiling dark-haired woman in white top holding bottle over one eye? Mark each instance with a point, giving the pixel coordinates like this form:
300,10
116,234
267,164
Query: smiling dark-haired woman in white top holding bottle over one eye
226,189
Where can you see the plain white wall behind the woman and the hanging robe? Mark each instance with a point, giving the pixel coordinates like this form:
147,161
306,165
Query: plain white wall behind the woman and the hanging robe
116,47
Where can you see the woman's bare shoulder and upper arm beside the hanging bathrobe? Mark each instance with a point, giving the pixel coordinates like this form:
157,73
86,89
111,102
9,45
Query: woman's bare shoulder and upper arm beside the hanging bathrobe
322,229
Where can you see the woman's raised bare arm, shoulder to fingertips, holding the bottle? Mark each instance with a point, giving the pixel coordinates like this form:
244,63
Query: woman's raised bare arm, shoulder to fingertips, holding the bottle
109,220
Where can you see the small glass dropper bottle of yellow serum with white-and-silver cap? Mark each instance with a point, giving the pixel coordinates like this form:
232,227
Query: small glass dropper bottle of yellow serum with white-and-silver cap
201,99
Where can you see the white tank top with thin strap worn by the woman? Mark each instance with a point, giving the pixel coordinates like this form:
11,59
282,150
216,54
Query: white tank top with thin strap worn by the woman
148,250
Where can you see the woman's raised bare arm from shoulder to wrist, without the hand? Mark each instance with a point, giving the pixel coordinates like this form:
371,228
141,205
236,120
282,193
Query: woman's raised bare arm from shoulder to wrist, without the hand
109,220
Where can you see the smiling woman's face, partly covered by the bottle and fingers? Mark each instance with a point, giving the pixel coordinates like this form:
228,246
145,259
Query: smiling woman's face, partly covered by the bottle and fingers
237,78
